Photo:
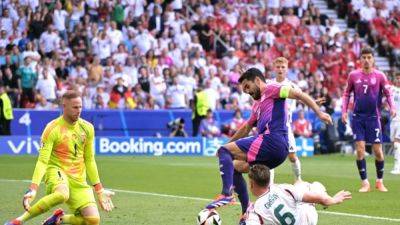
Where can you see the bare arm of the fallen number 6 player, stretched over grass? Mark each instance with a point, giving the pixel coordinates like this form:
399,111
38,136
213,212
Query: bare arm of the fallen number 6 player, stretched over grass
324,199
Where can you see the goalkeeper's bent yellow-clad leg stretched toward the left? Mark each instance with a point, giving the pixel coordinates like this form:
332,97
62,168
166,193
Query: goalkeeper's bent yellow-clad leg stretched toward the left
57,193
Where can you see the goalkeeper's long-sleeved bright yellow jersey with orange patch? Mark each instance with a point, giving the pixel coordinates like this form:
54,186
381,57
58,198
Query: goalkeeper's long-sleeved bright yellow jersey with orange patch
68,147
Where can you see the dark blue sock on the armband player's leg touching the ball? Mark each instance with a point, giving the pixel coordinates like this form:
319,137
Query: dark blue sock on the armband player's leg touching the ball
226,170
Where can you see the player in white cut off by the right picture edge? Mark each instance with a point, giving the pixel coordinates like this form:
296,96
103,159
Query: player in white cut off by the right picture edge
395,126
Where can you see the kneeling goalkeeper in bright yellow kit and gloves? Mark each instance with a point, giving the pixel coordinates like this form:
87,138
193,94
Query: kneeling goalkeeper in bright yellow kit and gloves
65,157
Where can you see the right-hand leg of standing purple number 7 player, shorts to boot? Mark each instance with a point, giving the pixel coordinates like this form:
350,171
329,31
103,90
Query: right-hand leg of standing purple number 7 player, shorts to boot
374,136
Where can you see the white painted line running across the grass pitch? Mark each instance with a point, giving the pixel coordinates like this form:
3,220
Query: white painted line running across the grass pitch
208,200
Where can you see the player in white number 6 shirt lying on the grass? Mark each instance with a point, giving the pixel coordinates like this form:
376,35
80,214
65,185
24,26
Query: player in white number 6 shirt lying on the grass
284,203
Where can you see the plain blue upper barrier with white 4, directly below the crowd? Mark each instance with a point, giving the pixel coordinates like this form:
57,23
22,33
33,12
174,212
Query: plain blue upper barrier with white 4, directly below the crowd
124,123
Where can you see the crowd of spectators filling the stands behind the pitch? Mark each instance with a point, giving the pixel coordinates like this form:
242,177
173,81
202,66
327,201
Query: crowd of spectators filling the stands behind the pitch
138,54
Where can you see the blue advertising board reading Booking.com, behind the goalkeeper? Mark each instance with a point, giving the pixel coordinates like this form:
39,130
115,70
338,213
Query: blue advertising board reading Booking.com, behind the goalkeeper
140,146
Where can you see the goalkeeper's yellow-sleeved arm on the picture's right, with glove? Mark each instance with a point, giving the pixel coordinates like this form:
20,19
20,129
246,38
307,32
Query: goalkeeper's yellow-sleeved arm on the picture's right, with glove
104,196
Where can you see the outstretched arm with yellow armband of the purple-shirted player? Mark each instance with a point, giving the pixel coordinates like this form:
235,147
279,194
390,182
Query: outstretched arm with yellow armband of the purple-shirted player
288,92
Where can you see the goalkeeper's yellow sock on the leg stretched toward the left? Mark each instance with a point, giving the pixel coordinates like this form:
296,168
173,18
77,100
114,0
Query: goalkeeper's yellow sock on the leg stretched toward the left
43,205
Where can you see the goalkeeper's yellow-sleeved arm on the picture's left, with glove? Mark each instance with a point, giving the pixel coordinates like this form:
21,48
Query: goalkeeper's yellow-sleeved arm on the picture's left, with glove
47,142
